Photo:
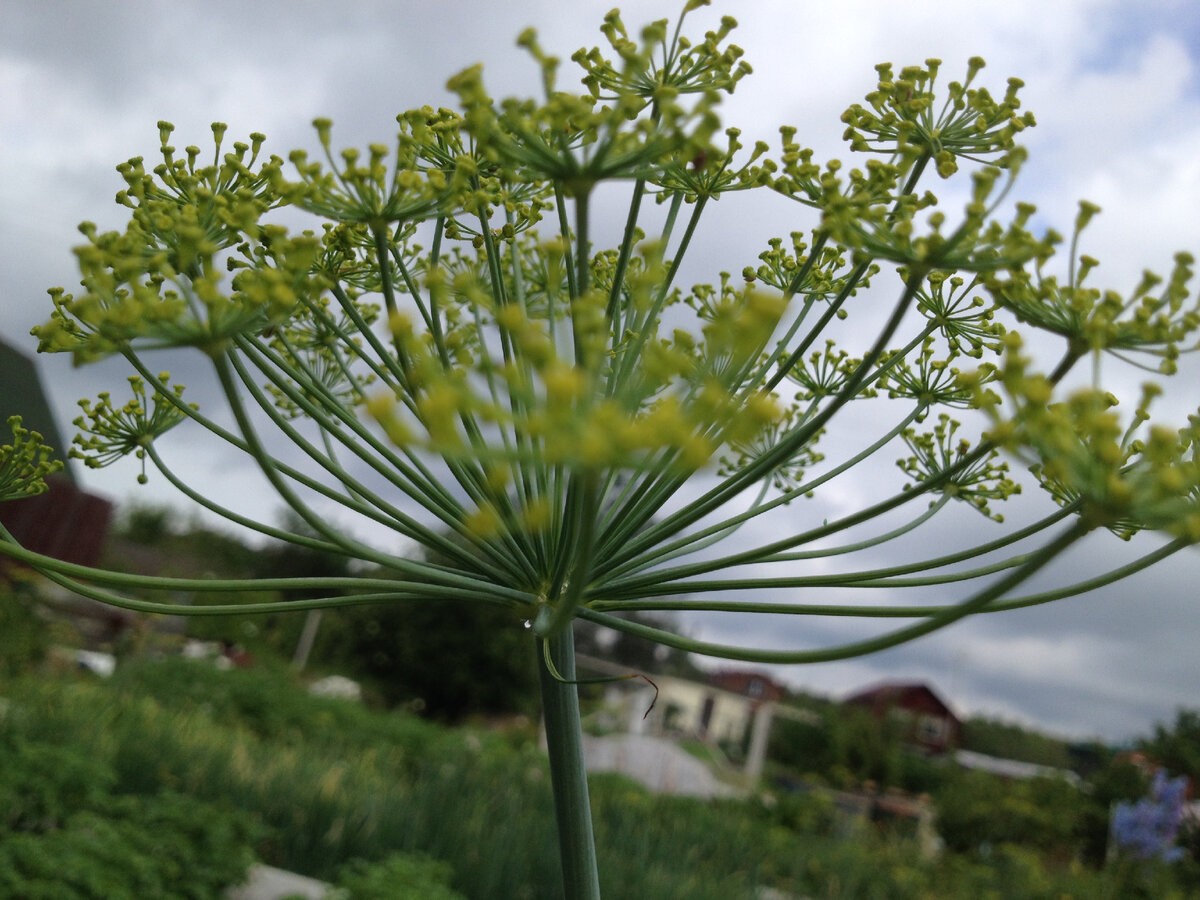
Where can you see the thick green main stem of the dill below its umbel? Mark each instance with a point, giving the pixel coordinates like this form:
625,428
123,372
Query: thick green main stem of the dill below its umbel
568,775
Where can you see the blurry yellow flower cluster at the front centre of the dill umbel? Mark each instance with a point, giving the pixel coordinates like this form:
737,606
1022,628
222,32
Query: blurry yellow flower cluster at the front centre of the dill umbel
681,403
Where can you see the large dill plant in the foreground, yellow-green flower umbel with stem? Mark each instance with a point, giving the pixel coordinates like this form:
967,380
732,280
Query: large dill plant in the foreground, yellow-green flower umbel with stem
452,355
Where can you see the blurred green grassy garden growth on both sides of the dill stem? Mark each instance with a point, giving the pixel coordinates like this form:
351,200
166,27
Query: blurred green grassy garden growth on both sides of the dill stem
326,783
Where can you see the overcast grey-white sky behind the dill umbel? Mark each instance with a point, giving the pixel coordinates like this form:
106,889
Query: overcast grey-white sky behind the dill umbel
1114,86
